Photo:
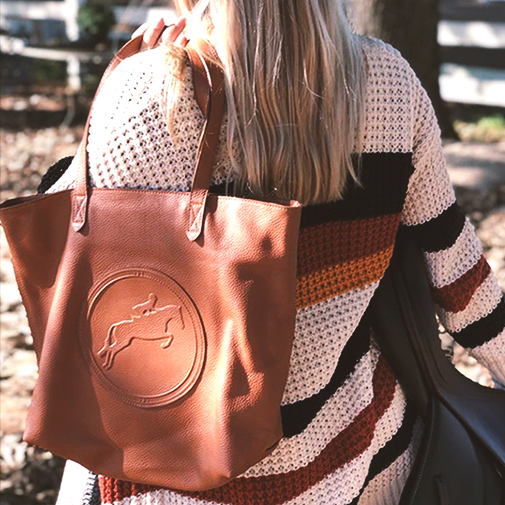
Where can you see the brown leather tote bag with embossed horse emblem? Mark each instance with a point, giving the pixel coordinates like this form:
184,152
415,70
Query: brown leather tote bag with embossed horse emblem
162,321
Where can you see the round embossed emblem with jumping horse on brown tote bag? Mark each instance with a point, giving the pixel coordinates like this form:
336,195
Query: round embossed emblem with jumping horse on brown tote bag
143,338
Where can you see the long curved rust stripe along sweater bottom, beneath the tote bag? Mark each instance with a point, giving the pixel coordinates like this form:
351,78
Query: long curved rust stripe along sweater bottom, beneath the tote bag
278,488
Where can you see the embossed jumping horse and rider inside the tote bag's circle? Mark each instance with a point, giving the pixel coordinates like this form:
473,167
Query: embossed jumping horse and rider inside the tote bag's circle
147,323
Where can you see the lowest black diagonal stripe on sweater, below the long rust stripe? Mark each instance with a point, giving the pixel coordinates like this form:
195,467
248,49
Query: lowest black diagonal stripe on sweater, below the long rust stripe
392,450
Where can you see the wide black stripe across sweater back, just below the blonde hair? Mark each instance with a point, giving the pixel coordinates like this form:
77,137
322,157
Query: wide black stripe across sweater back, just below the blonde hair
384,179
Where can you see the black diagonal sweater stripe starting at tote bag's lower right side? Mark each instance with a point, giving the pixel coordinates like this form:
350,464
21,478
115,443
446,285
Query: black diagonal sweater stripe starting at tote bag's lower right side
297,416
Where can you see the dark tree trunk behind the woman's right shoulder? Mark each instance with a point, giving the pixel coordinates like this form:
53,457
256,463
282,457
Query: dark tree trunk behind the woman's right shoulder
411,27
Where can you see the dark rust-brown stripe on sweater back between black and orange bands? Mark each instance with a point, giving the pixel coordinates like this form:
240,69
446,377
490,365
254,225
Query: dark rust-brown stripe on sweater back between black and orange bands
337,242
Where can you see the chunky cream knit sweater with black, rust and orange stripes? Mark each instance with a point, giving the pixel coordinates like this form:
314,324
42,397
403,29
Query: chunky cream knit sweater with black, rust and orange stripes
349,433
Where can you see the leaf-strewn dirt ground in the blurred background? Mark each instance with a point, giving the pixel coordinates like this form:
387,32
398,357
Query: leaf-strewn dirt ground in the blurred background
30,476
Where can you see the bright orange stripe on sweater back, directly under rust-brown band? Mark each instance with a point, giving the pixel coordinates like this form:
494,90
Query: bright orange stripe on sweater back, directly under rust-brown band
335,280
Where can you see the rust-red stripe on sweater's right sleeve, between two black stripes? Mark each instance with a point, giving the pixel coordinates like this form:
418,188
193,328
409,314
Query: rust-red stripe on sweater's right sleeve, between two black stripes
456,296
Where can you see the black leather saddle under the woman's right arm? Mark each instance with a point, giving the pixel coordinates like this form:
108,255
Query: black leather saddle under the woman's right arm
461,460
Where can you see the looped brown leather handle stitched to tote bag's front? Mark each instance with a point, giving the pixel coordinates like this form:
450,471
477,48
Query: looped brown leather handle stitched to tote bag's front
210,95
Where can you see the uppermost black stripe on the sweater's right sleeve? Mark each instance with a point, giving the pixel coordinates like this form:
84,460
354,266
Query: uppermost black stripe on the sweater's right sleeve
442,231
